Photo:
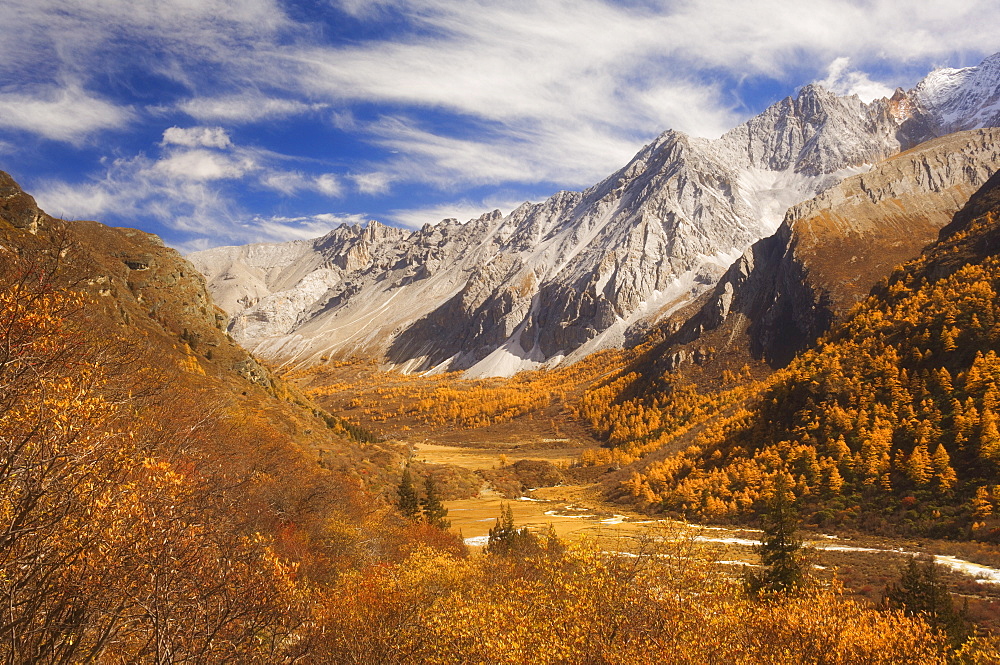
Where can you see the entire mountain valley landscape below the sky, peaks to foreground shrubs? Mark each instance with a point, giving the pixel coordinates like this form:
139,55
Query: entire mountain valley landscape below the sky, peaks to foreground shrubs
562,434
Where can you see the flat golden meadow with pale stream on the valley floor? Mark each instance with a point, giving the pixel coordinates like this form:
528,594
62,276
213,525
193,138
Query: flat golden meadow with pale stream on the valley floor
865,565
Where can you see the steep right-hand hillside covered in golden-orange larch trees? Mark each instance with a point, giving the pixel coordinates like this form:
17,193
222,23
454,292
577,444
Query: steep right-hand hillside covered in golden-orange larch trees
889,424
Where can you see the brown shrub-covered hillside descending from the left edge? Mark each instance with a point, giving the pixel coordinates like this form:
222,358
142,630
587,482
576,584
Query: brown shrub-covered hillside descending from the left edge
163,498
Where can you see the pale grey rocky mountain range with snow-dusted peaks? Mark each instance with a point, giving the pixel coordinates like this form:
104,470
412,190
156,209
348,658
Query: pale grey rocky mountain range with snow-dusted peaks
578,272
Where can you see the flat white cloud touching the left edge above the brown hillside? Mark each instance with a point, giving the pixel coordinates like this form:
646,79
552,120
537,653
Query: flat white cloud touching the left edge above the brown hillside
61,113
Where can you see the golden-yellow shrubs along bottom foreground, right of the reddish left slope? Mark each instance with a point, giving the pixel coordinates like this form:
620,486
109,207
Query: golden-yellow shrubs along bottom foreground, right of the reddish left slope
578,604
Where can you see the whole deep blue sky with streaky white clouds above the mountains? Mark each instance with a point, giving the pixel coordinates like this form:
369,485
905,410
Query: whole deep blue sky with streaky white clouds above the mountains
213,122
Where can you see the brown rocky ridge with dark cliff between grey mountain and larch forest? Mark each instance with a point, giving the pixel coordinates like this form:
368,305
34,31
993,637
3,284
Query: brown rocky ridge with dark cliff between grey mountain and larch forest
787,289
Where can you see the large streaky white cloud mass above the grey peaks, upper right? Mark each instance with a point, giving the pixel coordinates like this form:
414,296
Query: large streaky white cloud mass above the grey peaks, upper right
568,90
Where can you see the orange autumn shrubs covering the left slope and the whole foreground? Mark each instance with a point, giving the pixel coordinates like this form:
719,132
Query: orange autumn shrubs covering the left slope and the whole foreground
145,525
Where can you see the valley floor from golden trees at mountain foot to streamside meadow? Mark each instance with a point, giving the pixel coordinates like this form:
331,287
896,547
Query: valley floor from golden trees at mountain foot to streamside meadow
405,410
